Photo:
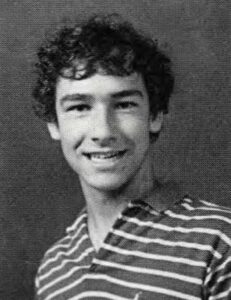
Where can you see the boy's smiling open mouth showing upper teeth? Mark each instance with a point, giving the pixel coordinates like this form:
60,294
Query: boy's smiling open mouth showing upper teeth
103,156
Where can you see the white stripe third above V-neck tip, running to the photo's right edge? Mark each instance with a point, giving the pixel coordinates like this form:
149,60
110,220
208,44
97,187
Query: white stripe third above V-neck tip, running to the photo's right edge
202,230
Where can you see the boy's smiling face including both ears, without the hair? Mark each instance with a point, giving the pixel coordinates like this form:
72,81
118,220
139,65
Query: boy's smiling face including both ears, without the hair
104,126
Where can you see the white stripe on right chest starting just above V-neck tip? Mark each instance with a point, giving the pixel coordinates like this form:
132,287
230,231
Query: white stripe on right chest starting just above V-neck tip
172,259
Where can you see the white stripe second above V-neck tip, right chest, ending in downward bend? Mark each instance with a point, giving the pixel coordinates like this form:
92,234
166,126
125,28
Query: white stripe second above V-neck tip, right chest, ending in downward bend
181,244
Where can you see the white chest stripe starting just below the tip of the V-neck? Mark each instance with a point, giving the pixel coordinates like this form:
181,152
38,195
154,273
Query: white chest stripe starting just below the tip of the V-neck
156,272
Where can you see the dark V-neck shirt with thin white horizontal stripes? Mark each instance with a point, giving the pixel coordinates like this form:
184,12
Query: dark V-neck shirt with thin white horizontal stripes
183,252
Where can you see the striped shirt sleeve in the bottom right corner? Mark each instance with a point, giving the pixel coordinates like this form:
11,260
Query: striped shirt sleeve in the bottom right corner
218,280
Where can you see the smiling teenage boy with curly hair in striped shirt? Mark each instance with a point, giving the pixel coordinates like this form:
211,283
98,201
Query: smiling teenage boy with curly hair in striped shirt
103,89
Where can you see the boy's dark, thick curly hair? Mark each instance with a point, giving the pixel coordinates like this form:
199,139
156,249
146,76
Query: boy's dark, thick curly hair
105,44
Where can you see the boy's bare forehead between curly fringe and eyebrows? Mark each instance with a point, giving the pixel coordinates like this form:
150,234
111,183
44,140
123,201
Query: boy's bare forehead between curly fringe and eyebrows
99,85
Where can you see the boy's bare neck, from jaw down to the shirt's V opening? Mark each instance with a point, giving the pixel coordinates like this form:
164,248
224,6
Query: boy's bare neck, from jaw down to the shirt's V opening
105,206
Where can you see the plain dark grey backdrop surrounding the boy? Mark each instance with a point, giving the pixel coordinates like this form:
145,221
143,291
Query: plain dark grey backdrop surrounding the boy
39,194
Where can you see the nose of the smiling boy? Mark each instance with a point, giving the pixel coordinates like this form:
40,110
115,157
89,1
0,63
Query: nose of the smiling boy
103,127
